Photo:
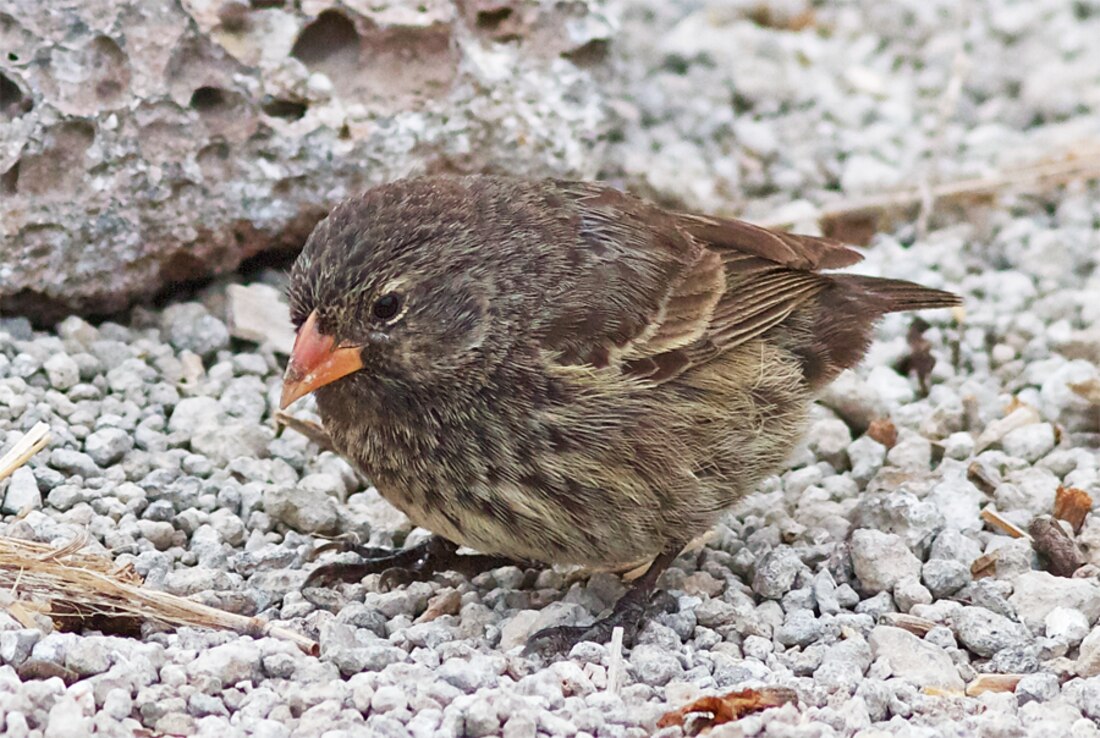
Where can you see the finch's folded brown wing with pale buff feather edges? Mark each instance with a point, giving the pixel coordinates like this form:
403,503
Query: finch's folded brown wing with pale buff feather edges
655,292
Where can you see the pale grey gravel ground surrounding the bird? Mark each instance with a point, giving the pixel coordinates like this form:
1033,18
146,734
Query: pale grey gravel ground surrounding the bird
163,449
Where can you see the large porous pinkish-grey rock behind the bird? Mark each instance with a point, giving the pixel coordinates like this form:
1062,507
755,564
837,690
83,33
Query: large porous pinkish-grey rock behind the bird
146,145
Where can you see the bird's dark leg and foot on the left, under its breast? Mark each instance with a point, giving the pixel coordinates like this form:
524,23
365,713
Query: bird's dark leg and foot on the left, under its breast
402,566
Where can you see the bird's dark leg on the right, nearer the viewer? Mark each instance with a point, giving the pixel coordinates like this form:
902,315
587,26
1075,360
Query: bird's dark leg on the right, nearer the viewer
630,613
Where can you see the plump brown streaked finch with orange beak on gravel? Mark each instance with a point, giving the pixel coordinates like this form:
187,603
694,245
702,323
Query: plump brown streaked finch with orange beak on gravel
558,372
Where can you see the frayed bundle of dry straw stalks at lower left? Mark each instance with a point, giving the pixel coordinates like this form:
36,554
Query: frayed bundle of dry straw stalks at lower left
73,587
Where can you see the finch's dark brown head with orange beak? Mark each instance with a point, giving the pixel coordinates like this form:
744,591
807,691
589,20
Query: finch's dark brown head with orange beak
391,292
